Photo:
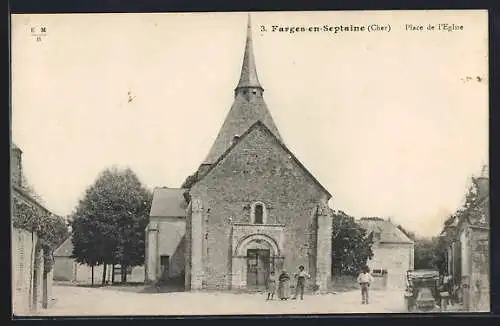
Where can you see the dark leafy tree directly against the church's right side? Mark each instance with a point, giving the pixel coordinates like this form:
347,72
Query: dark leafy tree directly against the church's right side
351,245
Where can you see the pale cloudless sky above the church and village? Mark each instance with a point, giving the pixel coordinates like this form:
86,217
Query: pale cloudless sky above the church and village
392,123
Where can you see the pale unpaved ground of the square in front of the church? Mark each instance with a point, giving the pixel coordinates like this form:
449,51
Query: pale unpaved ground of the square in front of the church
72,300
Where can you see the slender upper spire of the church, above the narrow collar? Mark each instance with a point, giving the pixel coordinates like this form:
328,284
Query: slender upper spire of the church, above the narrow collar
248,77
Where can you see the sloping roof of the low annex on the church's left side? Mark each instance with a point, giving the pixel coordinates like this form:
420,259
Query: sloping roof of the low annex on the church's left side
168,202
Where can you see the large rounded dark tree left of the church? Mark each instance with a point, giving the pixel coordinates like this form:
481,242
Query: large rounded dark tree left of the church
109,222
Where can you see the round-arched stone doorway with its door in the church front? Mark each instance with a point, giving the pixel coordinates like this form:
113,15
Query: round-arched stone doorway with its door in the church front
254,258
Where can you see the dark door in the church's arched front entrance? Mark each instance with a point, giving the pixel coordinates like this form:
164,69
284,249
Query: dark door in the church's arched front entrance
258,263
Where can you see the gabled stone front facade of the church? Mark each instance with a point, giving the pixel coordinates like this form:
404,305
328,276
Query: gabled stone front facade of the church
258,169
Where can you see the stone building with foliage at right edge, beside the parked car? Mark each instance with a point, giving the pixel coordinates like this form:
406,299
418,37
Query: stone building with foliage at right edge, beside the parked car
466,237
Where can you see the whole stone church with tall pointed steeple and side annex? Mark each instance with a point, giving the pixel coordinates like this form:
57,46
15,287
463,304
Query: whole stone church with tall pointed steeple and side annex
251,207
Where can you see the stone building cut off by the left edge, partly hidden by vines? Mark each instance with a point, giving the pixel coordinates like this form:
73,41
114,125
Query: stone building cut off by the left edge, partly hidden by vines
31,285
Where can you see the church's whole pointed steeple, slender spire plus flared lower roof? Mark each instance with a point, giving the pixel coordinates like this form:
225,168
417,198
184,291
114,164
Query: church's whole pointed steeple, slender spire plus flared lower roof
248,106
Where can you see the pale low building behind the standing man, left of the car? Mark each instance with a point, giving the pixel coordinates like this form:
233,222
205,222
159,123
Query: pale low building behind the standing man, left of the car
393,253
